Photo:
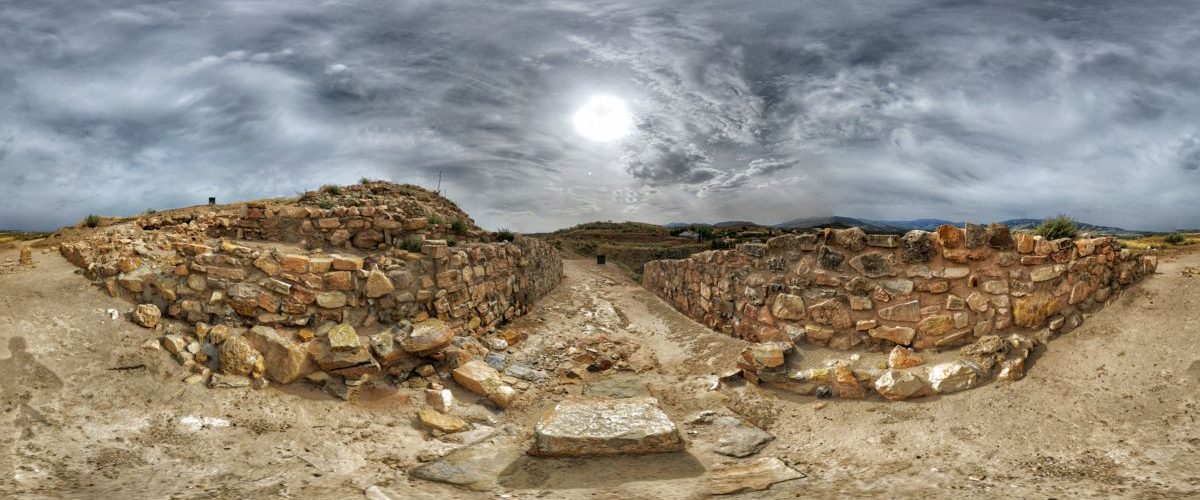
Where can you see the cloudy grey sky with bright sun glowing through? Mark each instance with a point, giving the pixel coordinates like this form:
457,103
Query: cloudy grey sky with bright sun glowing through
761,111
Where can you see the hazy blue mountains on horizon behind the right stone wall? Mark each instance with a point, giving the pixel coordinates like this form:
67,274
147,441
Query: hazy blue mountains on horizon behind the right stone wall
874,226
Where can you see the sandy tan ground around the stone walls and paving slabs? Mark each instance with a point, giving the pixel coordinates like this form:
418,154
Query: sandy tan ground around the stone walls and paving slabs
1107,412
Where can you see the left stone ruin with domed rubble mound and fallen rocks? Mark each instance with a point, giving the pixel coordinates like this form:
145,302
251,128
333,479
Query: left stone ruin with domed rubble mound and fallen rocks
283,292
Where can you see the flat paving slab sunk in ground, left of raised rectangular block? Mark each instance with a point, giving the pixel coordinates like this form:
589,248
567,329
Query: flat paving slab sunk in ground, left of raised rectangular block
476,467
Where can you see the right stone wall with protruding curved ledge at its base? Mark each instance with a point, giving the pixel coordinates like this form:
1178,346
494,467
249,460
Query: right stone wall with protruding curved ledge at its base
992,294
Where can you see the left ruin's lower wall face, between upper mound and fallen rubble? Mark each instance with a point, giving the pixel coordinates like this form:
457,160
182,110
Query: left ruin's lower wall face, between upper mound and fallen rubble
473,287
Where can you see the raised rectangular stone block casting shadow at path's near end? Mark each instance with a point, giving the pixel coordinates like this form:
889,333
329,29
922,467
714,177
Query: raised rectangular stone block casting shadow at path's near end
602,426
